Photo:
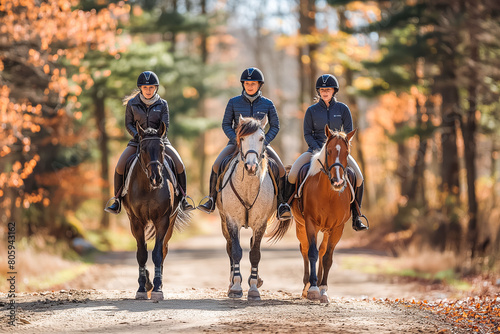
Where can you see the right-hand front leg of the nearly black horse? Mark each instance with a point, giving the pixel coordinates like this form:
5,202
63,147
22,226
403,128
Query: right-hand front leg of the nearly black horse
158,258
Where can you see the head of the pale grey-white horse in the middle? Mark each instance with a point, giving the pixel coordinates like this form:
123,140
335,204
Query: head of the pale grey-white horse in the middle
250,137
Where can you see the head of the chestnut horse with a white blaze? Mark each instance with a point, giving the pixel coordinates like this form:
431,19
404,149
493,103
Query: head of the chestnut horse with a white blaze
337,148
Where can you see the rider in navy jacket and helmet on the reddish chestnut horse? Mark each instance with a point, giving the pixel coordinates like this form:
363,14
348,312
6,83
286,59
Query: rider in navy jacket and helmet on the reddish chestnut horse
337,115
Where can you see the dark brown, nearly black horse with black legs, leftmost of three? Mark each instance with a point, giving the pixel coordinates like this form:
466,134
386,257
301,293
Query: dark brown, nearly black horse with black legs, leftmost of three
152,206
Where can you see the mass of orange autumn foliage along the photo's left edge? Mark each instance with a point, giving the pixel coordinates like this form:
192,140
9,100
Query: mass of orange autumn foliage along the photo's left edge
40,135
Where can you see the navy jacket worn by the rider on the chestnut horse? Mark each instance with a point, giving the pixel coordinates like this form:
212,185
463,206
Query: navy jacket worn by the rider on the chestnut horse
337,116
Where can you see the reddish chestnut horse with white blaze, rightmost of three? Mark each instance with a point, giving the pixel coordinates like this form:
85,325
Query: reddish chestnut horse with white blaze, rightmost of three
324,206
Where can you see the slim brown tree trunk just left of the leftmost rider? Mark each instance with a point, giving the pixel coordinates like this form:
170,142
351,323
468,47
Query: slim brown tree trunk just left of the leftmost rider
100,119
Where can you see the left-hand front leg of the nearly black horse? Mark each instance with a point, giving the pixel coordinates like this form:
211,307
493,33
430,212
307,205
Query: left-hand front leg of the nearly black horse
142,256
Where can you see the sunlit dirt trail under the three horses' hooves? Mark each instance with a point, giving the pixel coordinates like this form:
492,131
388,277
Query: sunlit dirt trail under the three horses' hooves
196,277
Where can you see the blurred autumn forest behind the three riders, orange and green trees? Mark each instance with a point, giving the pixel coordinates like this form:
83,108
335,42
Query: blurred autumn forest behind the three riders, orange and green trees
420,77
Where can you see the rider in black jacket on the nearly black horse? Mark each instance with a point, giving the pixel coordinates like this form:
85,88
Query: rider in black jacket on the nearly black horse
145,106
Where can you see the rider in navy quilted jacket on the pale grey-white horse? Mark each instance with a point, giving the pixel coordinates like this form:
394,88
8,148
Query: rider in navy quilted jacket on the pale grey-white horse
250,103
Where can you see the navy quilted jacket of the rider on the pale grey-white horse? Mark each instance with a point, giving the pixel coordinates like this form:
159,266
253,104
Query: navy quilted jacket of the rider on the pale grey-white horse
240,105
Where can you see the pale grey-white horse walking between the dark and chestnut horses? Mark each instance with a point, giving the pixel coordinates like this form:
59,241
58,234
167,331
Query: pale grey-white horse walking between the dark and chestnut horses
246,199
